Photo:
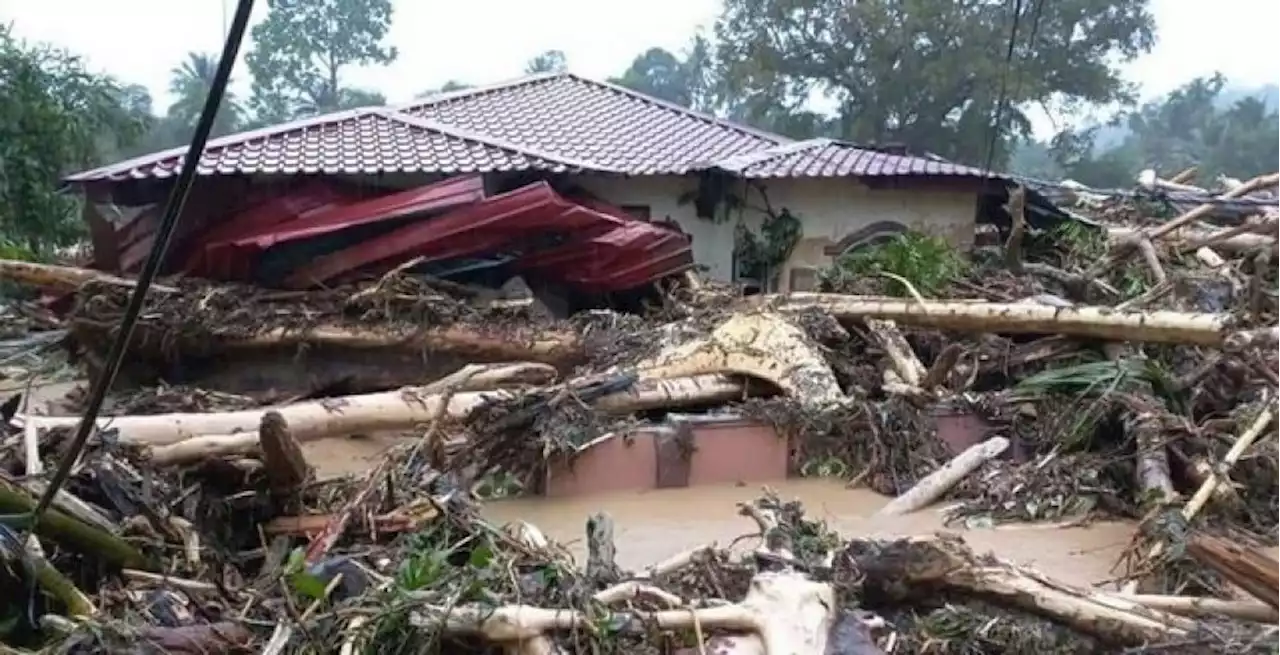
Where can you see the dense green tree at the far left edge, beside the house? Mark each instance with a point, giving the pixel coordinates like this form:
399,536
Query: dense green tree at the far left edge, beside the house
56,118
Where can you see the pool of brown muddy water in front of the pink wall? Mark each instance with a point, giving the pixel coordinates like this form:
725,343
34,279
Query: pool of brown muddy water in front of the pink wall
655,525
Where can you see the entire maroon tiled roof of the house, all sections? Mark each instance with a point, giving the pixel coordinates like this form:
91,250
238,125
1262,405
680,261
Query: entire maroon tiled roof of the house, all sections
554,122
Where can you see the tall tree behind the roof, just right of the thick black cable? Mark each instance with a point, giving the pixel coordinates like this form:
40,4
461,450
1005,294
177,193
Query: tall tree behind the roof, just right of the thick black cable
303,48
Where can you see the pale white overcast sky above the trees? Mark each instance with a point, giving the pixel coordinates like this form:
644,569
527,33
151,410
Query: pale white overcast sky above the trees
482,42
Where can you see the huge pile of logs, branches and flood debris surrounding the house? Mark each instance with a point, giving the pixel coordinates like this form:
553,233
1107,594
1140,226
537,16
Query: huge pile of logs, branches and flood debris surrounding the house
1100,370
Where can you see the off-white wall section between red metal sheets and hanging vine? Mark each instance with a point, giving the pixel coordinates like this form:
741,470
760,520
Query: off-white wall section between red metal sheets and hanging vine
714,242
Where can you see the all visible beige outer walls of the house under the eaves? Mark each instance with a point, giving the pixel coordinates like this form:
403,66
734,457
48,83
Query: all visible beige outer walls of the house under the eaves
829,210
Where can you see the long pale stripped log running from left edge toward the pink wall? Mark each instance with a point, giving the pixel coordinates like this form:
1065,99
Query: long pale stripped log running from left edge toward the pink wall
388,411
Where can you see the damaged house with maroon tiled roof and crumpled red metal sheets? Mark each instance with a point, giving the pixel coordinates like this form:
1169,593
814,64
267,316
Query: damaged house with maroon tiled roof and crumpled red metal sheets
575,186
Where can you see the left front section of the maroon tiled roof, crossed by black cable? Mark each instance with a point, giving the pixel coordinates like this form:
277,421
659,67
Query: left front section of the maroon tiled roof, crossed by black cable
349,143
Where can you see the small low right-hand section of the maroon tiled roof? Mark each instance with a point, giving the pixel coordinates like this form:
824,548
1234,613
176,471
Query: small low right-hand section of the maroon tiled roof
825,158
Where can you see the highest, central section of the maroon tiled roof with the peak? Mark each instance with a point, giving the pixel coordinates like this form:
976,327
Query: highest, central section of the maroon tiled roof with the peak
607,126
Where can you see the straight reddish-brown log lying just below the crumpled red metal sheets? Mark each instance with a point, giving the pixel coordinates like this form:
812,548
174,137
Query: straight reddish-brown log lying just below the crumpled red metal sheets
545,346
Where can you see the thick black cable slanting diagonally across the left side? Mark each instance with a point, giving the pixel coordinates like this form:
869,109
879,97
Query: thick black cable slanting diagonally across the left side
164,235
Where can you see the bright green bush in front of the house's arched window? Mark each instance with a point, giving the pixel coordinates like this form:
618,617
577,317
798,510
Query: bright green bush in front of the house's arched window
929,263
